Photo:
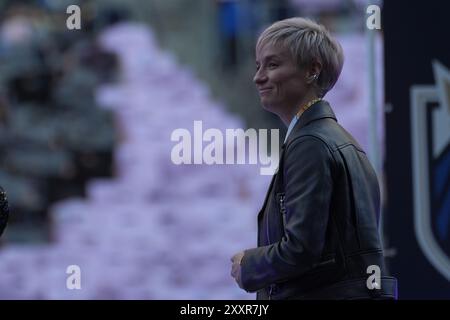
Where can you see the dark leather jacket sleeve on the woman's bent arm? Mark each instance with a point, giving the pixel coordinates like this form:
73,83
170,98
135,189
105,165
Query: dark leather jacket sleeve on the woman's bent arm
308,188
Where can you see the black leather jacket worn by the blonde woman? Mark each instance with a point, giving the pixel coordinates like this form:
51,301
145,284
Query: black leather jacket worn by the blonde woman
318,227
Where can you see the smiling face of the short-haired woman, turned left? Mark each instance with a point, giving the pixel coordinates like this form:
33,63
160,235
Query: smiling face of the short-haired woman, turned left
281,84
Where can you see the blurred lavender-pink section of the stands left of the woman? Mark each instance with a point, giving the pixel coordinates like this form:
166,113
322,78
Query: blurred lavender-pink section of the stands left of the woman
154,230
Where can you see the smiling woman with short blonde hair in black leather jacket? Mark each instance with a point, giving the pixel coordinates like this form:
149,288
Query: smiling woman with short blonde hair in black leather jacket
318,227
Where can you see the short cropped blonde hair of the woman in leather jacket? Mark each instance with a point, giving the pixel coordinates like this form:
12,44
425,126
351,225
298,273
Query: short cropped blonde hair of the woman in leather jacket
308,42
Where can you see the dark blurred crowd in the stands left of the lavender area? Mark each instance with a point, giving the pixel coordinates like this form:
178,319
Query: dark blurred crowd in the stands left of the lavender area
53,136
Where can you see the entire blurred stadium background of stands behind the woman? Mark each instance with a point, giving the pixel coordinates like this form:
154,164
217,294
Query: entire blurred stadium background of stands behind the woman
85,123
